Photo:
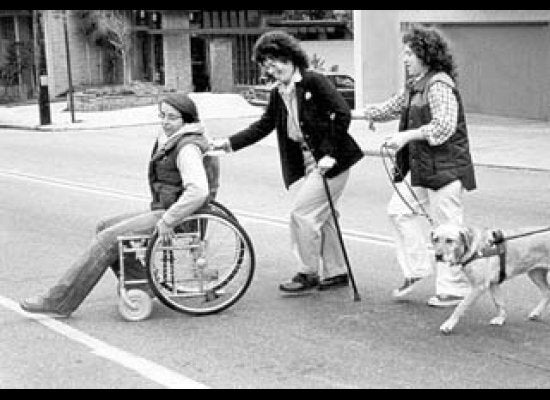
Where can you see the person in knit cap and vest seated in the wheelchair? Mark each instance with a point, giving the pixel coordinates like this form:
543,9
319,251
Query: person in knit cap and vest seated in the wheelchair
182,179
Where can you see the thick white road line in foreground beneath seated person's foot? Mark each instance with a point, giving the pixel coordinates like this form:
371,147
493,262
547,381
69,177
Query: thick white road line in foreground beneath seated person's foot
150,370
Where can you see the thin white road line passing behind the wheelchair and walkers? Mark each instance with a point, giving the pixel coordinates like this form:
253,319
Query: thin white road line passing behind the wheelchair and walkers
281,222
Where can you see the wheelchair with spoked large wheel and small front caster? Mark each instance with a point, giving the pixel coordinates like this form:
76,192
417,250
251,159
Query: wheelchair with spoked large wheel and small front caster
206,268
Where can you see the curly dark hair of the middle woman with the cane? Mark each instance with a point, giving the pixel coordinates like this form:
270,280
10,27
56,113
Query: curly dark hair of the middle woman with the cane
281,46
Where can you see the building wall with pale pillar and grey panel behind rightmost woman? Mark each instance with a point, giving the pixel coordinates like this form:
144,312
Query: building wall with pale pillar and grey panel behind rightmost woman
502,57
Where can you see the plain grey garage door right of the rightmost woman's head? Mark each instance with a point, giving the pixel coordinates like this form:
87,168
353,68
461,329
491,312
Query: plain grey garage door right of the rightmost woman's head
503,68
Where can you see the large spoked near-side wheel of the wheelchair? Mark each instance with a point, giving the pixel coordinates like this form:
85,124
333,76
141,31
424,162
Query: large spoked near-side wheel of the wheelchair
206,268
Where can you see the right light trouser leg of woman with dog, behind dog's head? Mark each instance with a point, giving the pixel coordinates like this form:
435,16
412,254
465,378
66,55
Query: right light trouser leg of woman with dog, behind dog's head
447,206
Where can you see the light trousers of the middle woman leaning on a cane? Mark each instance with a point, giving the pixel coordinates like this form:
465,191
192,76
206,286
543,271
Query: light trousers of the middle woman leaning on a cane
314,237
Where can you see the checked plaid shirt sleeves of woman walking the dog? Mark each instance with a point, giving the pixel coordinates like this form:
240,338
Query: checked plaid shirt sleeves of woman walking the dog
443,105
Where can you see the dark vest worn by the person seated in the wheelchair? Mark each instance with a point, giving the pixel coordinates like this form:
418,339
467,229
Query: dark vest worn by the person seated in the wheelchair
164,177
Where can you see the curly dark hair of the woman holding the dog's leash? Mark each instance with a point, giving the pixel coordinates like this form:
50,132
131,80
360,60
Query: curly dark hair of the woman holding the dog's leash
429,45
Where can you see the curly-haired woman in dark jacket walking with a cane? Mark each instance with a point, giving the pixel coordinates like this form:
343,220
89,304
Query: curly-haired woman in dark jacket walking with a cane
311,119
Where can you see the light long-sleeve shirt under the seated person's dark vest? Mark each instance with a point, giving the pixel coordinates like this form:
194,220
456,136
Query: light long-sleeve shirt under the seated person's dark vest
193,176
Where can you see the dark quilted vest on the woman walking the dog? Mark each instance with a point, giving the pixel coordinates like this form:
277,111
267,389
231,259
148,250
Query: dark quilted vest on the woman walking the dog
433,166
